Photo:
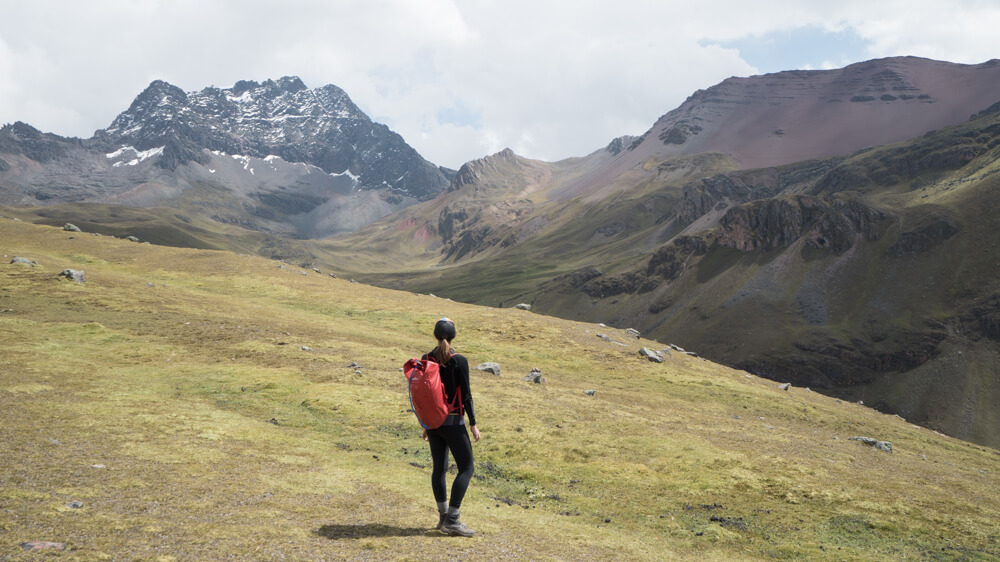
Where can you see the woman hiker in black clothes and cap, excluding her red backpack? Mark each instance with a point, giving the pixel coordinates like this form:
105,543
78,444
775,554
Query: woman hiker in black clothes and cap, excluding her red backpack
452,435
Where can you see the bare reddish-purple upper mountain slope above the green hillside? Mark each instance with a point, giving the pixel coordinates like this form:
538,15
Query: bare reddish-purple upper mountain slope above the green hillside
793,116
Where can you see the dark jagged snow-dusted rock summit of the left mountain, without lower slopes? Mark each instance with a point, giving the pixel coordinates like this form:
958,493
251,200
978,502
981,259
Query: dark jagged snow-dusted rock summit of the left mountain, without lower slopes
322,127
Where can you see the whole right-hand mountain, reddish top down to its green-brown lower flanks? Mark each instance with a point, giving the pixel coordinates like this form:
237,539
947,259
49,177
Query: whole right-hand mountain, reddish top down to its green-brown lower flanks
868,274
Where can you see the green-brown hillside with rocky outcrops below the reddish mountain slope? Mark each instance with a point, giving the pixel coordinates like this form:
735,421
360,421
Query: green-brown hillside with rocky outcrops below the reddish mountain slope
869,276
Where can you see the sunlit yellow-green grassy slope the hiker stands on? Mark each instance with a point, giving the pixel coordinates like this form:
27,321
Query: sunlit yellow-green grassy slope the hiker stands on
183,374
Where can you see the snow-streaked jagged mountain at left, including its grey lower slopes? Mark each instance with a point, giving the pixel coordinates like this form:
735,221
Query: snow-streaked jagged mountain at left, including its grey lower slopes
275,157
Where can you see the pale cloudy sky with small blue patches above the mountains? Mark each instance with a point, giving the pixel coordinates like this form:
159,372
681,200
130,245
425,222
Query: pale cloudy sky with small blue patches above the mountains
458,79
